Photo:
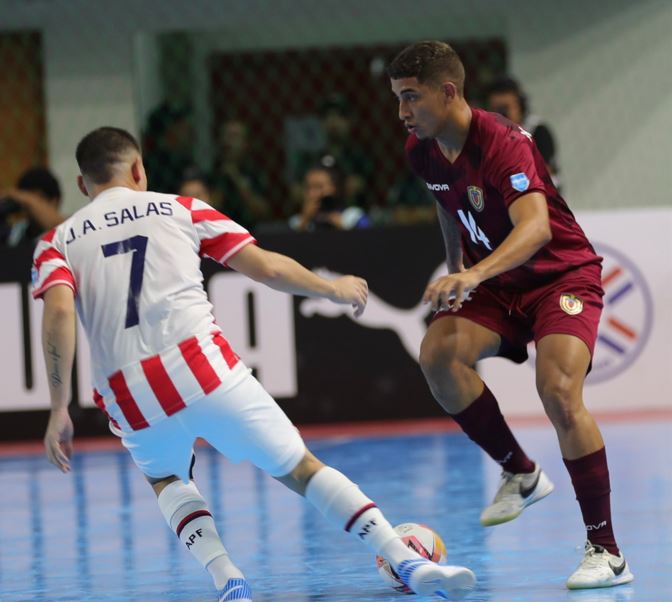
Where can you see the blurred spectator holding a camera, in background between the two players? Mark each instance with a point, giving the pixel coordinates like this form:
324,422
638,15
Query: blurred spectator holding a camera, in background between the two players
323,204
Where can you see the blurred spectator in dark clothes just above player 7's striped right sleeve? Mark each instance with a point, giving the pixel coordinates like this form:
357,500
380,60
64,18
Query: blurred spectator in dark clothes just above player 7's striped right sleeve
237,181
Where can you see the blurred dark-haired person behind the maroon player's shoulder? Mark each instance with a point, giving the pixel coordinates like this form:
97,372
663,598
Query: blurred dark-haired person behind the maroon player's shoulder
505,96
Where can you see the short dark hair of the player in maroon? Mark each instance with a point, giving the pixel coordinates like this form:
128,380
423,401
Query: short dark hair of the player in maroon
430,62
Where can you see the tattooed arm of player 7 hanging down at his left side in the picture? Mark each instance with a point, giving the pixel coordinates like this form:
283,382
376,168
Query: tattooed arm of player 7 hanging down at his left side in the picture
58,345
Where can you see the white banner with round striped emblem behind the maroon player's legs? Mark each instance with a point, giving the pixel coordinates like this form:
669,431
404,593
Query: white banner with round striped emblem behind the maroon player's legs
632,366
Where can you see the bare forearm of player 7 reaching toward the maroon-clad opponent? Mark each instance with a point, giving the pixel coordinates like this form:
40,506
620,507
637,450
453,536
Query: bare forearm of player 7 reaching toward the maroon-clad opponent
284,274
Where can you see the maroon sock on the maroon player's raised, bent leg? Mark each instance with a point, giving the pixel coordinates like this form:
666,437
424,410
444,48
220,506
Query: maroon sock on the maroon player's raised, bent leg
484,424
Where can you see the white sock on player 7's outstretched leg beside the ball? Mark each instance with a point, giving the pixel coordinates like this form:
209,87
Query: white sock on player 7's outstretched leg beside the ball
344,505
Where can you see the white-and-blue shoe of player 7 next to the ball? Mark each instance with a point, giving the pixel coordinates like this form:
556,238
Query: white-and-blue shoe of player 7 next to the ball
426,577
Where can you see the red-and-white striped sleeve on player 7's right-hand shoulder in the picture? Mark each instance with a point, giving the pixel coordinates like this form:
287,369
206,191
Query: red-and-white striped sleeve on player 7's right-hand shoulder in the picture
220,238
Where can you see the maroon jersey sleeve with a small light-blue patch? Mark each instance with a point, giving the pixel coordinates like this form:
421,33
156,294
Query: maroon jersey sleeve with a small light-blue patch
514,172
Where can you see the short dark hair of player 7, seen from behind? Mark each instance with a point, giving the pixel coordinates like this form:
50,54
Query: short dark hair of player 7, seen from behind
99,151
